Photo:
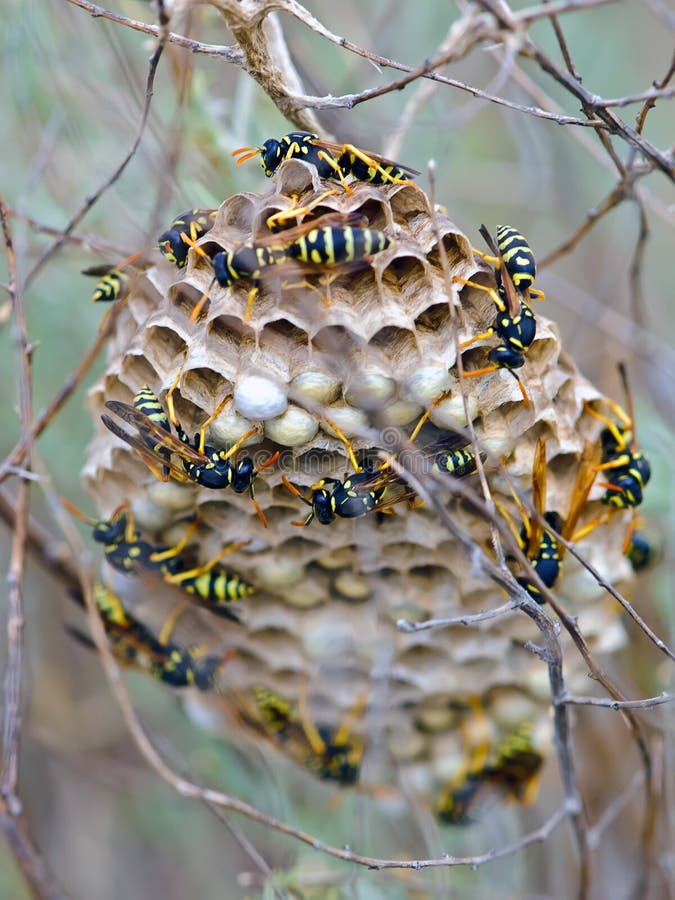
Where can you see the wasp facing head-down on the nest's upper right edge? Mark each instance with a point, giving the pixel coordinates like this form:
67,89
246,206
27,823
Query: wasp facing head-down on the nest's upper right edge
515,324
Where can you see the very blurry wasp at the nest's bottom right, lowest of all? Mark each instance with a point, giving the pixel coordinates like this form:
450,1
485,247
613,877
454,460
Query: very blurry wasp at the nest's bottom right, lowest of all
510,771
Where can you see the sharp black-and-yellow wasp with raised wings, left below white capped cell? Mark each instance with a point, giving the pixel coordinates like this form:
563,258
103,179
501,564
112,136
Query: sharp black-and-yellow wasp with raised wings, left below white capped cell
202,464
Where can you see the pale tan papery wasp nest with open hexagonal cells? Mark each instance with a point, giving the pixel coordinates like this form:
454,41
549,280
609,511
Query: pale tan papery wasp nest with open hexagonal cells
377,349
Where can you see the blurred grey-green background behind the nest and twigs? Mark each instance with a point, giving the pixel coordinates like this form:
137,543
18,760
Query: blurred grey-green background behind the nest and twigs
71,107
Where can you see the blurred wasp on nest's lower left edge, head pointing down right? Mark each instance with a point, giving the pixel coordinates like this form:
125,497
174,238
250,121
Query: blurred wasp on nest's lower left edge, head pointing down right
134,645
